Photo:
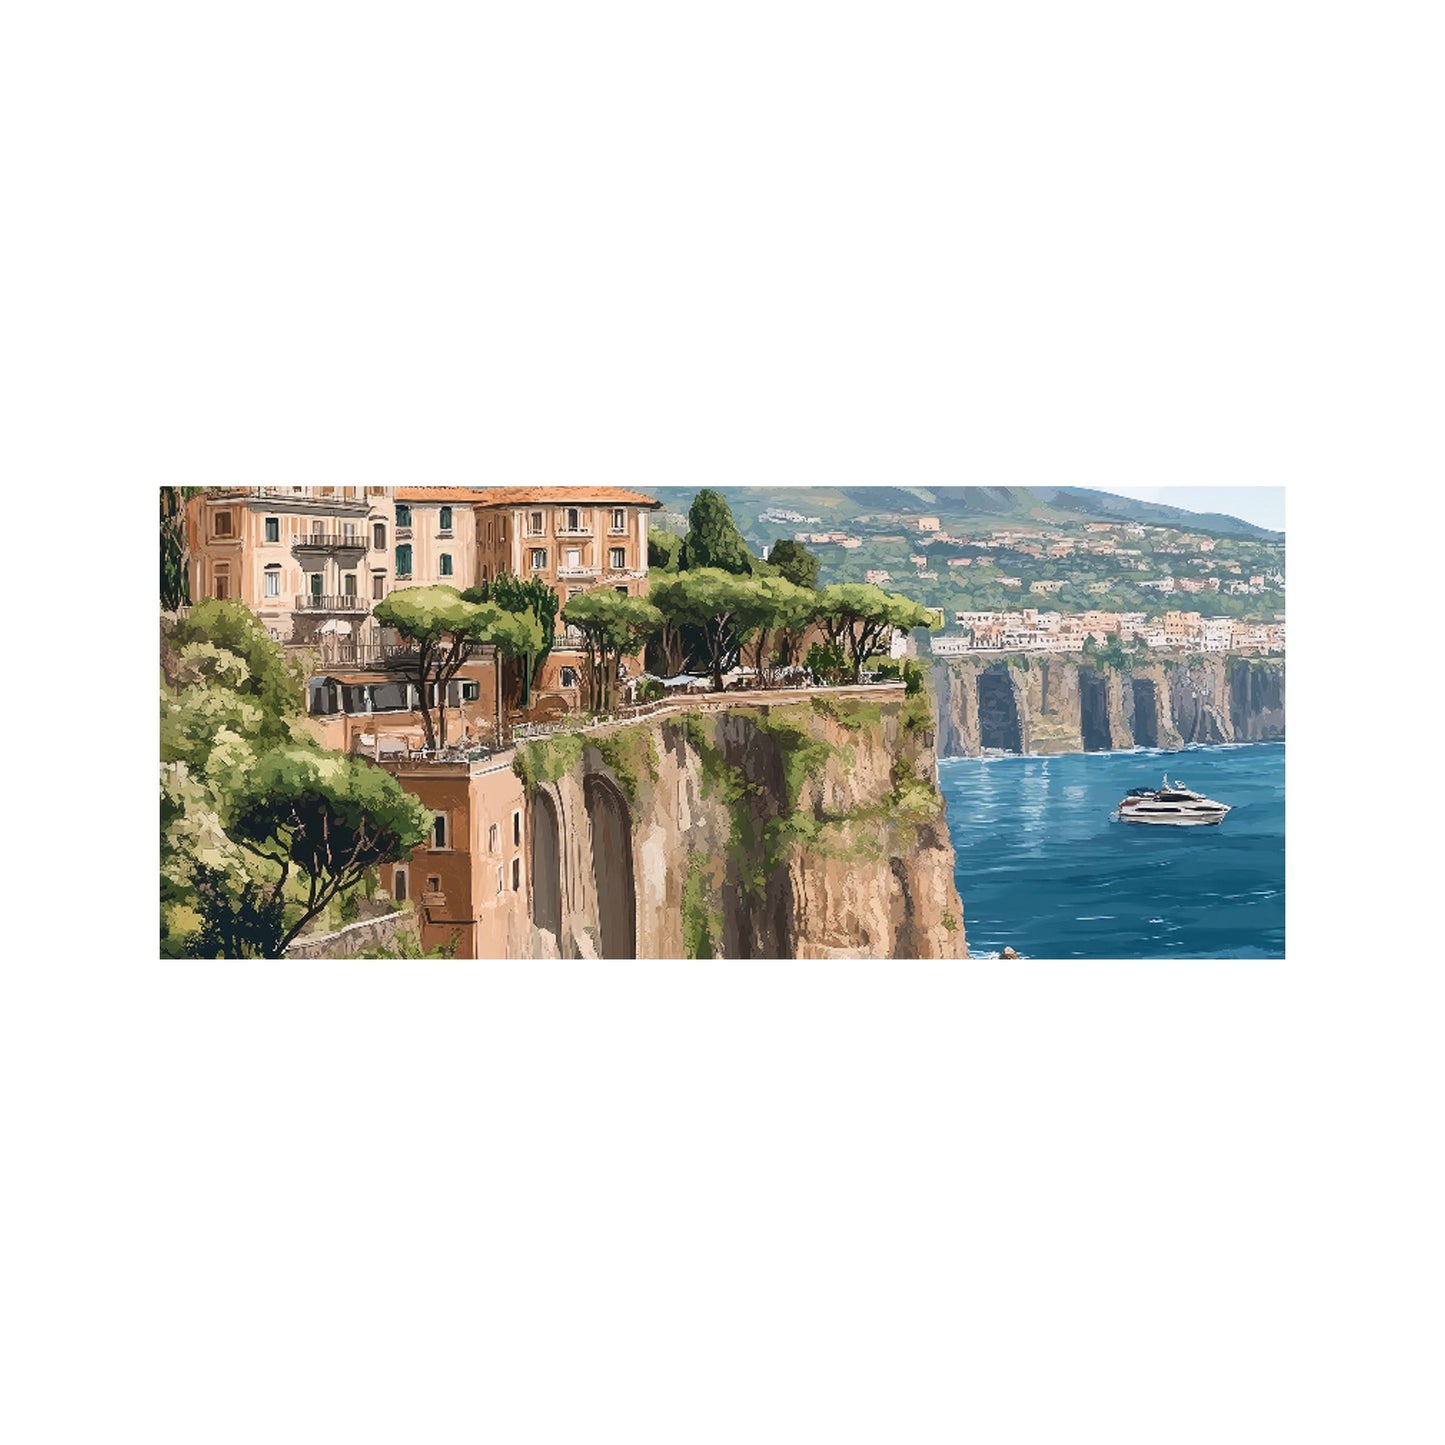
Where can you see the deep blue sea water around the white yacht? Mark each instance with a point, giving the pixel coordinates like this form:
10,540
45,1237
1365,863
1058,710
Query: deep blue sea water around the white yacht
1043,869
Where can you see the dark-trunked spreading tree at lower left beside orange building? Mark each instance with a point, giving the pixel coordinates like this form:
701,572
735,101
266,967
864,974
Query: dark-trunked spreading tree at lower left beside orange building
329,817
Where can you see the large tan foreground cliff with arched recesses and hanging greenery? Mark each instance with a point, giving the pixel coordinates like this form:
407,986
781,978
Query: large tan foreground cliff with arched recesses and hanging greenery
811,830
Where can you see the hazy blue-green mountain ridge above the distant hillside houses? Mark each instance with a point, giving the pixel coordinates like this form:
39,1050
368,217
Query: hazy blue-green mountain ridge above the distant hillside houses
836,506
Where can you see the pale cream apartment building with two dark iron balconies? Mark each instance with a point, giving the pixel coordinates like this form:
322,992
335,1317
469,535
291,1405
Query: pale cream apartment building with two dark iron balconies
301,558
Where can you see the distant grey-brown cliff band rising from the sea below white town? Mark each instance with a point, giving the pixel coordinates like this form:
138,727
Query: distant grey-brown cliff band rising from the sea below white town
1060,704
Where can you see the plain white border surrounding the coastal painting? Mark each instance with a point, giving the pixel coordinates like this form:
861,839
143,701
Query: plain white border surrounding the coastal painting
788,245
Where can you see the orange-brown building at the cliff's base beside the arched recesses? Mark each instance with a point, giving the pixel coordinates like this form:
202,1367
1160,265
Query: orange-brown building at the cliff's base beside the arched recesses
470,879
